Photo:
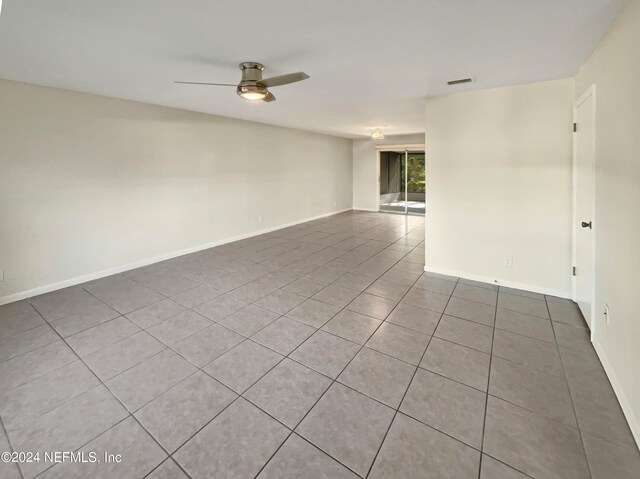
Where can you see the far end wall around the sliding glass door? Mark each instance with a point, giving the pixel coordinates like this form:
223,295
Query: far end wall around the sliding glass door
365,176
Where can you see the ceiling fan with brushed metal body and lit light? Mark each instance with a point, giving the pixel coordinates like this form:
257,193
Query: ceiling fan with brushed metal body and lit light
253,86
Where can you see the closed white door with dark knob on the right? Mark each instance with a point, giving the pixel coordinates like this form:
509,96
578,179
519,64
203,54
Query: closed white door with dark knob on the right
584,191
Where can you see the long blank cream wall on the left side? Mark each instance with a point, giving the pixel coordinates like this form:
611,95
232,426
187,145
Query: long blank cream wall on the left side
89,183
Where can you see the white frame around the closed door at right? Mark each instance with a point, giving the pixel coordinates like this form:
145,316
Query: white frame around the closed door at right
590,92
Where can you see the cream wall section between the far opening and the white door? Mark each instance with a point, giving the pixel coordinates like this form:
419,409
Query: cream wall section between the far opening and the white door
500,163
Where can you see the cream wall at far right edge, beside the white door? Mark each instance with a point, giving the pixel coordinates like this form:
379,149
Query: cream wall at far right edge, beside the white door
614,68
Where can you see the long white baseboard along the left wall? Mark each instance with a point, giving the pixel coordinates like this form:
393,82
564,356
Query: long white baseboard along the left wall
145,262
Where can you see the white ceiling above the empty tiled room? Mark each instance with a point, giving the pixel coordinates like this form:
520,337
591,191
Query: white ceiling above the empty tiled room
372,62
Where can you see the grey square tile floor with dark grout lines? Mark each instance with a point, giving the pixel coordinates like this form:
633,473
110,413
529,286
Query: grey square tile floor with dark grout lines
320,351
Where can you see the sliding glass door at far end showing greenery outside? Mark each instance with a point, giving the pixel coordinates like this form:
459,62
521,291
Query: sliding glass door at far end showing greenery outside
401,178
